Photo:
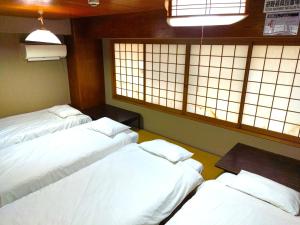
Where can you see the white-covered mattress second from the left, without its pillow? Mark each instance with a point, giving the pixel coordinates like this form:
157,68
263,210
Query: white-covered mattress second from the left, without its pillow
28,166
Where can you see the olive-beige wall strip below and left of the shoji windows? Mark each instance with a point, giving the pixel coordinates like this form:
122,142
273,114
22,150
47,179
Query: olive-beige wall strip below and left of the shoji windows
203,136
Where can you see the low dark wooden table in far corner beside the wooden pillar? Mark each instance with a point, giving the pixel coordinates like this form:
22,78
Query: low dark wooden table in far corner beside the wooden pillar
121,115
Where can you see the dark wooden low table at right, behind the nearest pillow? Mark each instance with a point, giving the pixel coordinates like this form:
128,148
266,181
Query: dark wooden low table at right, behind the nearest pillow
273,166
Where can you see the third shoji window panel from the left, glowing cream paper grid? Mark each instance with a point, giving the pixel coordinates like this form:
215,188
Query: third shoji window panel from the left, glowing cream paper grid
216,77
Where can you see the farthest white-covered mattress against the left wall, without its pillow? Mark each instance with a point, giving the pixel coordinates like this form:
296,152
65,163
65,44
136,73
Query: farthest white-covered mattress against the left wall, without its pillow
20,128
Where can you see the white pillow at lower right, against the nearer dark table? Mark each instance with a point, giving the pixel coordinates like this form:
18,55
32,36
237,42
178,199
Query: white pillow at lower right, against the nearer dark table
267,190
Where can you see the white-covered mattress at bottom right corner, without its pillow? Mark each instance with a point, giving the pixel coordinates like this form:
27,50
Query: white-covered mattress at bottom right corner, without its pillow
214,203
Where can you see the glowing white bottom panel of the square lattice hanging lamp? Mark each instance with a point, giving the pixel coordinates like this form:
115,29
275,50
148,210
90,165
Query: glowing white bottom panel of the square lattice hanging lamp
204,20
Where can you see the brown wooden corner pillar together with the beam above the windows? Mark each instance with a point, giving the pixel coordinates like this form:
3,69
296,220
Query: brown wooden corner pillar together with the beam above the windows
85,59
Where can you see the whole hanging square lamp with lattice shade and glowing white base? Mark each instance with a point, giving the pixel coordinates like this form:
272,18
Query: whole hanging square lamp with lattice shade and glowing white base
186,13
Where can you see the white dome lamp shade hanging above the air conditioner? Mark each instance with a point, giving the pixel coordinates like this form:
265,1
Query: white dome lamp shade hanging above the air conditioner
44,36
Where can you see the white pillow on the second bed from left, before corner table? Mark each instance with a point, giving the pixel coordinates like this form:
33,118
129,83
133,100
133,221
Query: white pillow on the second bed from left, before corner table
108,126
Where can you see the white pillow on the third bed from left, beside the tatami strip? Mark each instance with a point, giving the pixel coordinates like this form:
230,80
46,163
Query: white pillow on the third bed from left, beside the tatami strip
167,150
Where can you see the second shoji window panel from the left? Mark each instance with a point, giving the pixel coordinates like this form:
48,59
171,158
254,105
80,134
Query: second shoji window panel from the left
165,65
